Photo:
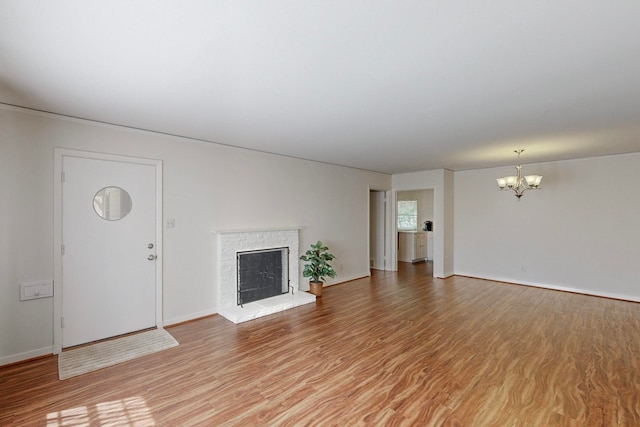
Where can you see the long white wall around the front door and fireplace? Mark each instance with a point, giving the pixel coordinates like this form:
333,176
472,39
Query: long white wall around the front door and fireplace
207,187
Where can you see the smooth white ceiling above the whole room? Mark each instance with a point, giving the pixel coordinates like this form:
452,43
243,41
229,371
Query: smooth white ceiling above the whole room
390,86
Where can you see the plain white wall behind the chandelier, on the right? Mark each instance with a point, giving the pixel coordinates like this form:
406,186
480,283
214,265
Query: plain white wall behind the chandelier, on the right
580,232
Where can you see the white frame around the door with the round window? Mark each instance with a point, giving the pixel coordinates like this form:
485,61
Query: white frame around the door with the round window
59,155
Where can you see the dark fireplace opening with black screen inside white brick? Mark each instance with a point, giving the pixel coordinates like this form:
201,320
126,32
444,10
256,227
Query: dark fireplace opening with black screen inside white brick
262,274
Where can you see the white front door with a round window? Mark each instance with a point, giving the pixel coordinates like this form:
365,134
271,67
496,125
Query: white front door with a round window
109,249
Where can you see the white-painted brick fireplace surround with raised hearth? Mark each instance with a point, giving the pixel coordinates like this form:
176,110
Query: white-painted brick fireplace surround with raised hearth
230,242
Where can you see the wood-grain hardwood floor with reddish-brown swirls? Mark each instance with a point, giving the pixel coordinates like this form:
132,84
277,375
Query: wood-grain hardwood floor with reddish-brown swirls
394,349
